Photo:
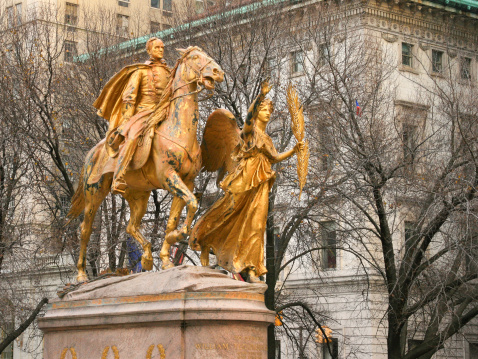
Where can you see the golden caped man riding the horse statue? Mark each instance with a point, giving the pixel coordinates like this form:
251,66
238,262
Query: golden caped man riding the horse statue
126,102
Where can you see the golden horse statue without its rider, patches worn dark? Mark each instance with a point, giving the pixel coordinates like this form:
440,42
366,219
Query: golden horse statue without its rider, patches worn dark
173,163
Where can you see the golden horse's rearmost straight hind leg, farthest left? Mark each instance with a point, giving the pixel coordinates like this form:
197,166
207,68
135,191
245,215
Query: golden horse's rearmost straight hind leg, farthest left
93,198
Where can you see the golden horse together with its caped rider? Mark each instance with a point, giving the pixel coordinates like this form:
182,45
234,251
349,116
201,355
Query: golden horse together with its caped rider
151,144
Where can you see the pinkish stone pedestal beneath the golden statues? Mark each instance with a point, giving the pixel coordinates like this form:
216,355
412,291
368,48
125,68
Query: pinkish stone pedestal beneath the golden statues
184,312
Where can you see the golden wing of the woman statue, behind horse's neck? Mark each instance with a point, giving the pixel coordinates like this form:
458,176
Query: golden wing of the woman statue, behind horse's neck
221,136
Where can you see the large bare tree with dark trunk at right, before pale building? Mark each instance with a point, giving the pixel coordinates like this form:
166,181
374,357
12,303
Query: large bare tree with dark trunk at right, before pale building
409,172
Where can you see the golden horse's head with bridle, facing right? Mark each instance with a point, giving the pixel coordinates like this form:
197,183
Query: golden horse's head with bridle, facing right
201,67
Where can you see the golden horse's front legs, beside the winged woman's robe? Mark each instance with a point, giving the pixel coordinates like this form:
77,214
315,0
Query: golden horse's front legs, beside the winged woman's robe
183,192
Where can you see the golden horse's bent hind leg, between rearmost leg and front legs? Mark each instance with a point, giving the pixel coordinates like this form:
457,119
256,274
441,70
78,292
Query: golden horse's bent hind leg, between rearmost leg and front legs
138,203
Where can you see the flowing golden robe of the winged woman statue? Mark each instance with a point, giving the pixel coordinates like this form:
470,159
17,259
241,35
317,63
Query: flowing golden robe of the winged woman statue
234,226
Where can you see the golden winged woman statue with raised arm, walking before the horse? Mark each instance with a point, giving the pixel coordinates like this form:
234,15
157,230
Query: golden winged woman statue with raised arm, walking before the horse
234,226
